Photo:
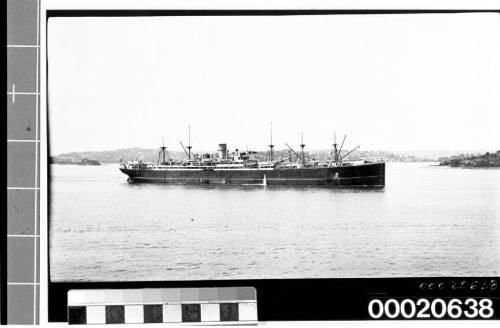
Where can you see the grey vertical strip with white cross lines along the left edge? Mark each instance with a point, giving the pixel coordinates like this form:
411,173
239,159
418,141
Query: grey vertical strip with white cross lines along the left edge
23,92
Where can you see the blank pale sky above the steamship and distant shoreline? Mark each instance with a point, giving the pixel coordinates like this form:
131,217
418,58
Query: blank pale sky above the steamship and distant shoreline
390,82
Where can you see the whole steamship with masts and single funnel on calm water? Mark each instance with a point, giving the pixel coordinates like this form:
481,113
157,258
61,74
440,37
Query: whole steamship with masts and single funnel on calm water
247,168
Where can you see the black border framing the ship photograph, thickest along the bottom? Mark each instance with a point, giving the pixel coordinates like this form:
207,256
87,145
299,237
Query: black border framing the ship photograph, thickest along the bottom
290,299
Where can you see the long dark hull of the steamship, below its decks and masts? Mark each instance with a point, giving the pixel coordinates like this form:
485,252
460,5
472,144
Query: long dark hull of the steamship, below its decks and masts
369,175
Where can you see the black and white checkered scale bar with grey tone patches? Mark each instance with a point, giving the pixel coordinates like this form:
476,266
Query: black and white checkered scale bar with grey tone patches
228,305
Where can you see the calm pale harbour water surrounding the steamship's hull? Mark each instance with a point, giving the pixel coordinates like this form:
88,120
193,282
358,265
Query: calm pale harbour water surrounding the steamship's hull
428,221
